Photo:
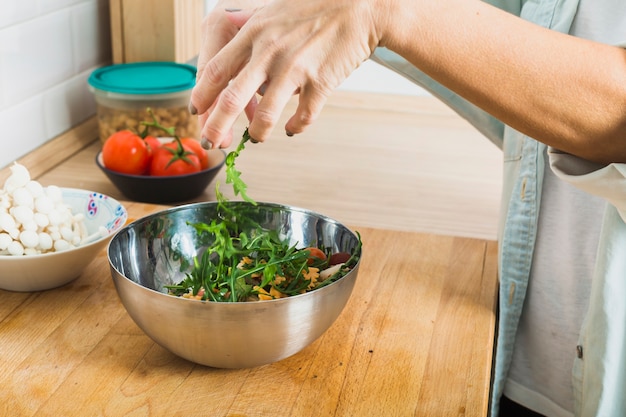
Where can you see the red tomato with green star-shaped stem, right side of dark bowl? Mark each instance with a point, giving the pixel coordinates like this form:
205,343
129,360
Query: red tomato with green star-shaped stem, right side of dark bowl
174,159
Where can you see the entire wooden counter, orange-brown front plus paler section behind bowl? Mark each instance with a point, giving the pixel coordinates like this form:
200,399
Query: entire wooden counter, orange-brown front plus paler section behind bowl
416,338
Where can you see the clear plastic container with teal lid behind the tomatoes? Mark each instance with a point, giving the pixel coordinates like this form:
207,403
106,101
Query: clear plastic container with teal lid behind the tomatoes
124,92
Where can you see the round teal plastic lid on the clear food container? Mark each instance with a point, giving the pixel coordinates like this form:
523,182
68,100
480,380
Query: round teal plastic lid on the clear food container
144,78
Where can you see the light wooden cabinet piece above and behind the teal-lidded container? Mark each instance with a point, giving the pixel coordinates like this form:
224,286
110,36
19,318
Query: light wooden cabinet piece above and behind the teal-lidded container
155,30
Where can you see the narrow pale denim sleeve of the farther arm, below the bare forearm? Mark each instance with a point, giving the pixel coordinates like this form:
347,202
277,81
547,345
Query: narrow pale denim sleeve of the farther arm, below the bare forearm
489,126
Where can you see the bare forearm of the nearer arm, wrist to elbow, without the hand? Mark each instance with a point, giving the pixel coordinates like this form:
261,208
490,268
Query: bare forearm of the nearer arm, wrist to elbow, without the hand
566,92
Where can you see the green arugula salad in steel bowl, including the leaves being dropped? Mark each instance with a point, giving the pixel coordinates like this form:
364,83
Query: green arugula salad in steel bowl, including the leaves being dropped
246,262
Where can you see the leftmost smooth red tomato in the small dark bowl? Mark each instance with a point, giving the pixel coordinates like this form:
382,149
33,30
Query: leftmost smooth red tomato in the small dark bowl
126,152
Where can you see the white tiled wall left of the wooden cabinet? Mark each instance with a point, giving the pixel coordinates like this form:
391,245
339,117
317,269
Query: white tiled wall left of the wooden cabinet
48,48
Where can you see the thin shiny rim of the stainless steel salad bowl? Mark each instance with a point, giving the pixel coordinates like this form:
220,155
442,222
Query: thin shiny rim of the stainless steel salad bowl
258,203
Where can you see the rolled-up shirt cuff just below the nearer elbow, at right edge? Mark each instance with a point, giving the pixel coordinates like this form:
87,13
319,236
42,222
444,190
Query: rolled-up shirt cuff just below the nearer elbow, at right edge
606,181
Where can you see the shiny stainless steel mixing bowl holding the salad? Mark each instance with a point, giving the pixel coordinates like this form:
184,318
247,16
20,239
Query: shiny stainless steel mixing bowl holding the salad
146,255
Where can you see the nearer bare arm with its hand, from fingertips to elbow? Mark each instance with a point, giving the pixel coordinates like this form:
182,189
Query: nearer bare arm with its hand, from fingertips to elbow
566,92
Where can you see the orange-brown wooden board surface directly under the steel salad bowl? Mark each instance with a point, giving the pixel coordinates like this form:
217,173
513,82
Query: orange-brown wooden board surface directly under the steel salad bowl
415,339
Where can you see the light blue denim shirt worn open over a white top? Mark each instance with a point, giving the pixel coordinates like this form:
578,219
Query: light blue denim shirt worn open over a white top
599,365
